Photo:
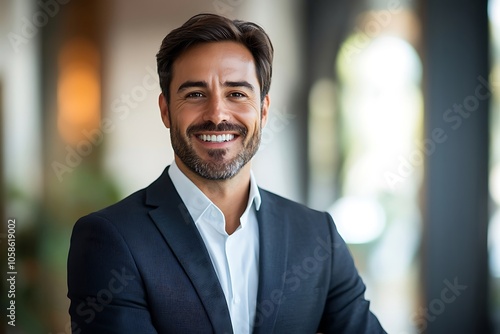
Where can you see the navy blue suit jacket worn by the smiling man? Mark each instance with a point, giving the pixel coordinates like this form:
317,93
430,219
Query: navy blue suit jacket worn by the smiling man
140,266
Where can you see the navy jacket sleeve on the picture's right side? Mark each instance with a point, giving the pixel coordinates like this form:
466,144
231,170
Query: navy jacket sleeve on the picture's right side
346,309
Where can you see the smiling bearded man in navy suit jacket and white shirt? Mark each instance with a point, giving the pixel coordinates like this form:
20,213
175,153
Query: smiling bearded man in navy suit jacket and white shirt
203,249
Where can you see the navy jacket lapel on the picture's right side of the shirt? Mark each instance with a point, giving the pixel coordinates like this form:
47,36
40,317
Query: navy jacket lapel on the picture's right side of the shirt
273,241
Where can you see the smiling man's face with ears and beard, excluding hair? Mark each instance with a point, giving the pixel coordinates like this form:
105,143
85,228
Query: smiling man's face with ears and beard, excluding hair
215,114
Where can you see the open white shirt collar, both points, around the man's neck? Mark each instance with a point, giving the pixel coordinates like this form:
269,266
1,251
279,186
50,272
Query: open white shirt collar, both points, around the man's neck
197,202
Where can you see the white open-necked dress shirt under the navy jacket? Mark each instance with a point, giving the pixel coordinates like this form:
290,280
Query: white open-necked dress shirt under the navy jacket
235,257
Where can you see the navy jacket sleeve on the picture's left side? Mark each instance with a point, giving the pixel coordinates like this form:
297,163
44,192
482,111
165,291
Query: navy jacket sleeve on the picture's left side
104,284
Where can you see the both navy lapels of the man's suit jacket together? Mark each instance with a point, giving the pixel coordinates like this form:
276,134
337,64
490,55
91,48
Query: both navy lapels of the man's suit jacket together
178,229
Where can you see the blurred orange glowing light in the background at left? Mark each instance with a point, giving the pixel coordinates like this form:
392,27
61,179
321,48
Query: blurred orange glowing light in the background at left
78,91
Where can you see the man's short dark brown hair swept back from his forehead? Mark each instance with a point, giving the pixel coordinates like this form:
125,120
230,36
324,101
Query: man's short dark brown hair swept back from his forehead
204,28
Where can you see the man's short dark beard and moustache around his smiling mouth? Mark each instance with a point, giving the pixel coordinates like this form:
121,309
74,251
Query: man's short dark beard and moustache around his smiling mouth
217,167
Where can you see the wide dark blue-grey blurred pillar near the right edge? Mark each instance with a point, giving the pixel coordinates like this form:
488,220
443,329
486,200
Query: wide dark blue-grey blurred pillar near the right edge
455,267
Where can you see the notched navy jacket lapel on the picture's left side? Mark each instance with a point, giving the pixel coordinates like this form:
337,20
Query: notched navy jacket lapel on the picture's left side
177,227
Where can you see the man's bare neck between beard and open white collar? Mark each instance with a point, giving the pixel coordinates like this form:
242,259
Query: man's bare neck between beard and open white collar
230,196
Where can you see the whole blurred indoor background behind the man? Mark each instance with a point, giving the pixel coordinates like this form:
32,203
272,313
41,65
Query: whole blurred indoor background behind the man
386,113
